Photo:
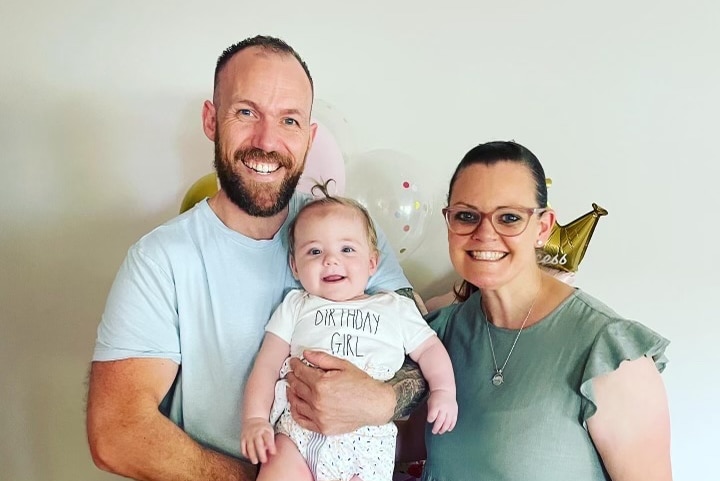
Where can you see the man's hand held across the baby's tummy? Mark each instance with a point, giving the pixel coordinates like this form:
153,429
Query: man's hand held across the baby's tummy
335,397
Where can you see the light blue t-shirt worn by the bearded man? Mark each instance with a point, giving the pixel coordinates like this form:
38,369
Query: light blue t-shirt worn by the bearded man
198,293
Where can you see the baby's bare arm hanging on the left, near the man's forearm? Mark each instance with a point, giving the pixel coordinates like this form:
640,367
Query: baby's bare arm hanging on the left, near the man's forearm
258,438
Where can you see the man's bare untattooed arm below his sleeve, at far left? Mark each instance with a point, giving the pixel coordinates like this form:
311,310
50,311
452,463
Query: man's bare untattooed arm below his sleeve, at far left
129,436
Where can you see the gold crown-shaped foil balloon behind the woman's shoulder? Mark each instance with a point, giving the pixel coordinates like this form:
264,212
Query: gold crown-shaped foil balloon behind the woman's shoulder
567,244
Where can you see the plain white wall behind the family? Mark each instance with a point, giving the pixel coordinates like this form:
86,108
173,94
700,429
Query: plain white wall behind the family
100,137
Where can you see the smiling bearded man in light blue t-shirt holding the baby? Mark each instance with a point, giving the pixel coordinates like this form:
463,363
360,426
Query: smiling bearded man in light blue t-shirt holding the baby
185,316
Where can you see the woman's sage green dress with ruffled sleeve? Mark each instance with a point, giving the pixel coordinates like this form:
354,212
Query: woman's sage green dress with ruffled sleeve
533,426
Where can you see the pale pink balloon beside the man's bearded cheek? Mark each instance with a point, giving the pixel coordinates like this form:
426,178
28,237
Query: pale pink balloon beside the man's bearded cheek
324,161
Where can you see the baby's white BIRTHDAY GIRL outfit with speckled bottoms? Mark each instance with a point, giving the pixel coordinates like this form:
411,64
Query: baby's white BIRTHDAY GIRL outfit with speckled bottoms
374,334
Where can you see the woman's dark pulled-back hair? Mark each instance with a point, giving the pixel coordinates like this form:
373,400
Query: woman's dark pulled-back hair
492,153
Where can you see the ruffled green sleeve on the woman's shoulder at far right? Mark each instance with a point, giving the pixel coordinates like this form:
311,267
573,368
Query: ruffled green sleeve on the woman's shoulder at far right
620,341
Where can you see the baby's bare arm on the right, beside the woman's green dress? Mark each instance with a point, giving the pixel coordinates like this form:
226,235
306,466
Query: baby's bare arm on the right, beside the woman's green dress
435,365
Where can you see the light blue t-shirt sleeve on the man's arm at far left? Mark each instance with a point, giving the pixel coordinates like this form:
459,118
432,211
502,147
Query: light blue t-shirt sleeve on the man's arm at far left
141,316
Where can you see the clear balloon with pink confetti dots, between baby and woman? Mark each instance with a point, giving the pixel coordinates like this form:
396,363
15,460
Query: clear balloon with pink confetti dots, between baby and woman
385,182
